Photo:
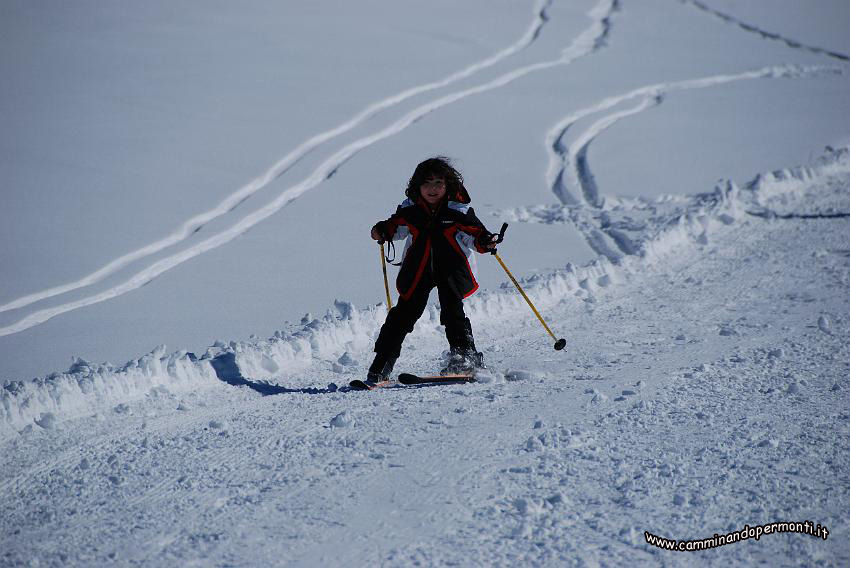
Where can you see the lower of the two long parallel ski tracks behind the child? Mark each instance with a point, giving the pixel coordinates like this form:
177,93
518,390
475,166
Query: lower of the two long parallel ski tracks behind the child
589,41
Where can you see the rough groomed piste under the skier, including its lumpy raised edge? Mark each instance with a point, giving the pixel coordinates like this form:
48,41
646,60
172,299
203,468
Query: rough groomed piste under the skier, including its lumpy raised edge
704,388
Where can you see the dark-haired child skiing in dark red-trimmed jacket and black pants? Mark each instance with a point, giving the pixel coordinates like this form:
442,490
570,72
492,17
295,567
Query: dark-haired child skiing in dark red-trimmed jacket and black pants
441,229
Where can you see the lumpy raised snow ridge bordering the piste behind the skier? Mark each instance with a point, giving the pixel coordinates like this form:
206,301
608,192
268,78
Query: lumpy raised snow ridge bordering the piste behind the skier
87,388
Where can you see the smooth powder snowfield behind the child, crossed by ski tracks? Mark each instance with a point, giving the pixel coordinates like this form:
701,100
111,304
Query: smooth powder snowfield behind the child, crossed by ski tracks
180,175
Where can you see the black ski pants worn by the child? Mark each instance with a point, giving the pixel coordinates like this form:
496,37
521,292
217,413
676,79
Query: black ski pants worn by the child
403,316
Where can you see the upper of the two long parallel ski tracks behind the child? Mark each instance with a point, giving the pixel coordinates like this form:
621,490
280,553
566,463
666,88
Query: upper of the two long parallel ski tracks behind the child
231,202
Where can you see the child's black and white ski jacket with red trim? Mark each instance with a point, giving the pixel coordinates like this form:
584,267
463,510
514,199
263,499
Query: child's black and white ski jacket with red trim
440,242
